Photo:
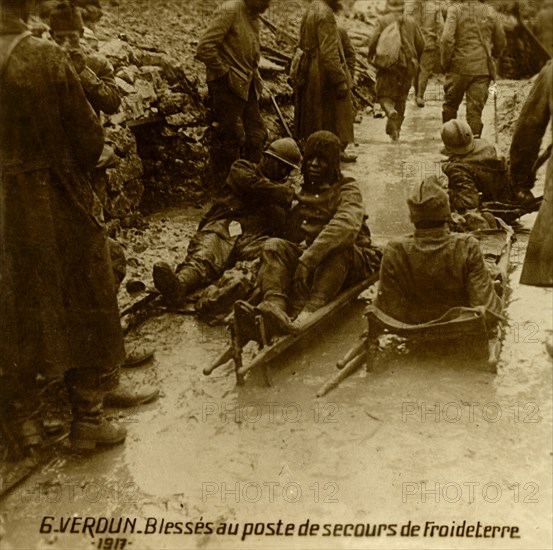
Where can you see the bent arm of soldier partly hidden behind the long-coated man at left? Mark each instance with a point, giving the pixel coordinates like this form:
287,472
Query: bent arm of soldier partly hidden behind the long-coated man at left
98,81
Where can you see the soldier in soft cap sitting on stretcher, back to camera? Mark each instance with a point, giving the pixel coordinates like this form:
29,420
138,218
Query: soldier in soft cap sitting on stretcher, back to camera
425,274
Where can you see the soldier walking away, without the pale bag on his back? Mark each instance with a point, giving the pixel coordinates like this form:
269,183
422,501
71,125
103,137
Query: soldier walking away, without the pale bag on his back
393,83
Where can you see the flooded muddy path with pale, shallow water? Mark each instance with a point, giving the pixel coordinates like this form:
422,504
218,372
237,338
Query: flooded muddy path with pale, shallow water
426,440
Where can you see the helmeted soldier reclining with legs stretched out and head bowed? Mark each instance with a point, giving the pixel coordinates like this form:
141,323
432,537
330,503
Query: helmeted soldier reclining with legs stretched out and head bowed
253,209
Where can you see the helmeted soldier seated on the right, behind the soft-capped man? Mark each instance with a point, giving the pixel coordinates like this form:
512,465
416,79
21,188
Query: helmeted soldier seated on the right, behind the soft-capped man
473,168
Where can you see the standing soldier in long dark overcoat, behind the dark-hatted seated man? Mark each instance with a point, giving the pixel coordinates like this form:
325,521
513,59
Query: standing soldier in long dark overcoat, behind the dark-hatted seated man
323,94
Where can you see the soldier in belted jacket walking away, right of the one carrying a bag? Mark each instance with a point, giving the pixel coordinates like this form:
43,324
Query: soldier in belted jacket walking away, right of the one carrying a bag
473,38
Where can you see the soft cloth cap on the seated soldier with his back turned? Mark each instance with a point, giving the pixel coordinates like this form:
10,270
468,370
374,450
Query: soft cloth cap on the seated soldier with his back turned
429,201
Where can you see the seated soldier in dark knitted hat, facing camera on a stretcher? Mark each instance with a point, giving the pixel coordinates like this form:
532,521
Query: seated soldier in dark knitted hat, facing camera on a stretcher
328,245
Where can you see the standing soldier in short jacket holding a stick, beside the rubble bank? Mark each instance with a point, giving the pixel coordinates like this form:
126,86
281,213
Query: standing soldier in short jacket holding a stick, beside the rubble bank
231,51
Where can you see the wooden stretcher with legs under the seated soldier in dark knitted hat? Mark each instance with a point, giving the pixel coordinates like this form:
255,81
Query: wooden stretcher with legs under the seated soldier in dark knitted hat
249,325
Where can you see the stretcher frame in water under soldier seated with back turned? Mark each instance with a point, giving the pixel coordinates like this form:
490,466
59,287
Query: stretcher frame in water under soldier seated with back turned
461,324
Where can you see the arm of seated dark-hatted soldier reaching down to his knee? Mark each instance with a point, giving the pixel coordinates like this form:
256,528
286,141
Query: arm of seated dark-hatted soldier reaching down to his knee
341,230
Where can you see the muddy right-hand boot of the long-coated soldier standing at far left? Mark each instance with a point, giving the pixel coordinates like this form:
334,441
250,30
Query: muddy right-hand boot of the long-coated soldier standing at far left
90,427
